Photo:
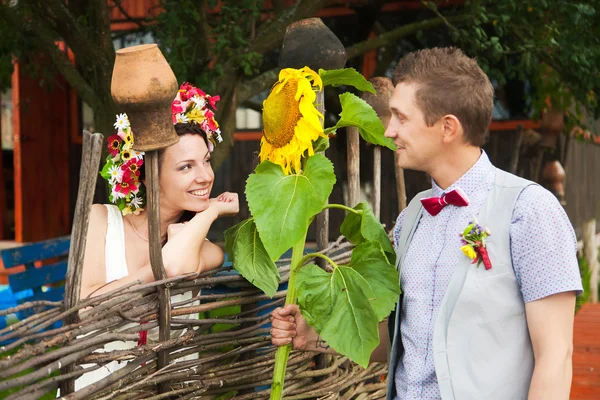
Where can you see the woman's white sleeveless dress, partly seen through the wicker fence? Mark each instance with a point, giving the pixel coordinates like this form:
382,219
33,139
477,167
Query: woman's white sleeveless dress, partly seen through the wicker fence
116,268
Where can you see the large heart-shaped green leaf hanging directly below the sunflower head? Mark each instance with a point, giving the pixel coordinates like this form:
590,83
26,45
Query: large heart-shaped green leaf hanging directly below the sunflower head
283,205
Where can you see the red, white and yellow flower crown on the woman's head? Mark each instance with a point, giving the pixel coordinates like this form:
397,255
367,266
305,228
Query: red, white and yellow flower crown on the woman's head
122,167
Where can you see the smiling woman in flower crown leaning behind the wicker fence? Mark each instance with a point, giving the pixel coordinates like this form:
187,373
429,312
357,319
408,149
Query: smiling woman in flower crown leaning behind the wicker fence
117,250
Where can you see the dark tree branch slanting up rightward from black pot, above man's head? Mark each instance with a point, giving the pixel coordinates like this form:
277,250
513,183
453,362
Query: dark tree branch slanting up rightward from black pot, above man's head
402,31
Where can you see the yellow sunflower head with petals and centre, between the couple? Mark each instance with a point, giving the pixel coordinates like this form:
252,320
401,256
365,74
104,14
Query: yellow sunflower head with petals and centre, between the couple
291,121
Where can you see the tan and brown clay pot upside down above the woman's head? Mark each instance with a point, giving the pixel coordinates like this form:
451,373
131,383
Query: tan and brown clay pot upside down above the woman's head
144,86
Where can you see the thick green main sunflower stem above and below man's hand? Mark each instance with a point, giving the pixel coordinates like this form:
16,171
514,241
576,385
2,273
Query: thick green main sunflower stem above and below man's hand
283,352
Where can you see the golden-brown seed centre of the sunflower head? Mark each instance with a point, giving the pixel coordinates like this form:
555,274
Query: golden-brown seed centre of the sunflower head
281,113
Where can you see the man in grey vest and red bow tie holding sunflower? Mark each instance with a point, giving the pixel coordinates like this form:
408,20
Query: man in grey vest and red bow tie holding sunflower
501,330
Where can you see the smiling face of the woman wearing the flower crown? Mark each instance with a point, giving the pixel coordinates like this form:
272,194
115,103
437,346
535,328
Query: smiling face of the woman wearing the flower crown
186,176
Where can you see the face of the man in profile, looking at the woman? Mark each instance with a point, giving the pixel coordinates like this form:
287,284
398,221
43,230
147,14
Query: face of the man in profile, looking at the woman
418,144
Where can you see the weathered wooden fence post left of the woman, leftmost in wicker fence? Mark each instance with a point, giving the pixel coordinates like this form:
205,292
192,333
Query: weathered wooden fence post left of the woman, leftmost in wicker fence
92,149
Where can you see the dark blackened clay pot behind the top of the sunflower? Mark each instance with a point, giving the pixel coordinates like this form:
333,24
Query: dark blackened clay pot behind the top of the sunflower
309,42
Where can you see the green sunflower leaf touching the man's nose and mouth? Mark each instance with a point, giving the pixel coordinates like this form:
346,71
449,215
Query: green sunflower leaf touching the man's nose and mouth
357,112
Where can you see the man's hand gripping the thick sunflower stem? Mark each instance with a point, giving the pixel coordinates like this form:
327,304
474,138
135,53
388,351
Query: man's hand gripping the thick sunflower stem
289,326
